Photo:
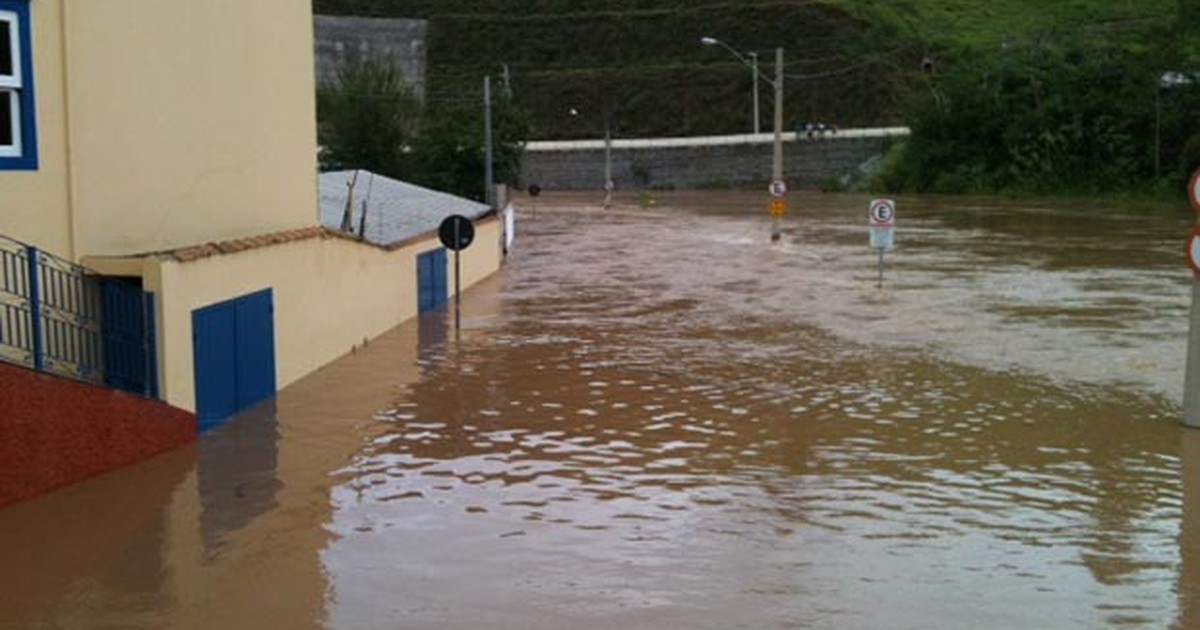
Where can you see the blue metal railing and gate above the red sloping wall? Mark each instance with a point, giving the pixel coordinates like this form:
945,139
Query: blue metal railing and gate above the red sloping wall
59,317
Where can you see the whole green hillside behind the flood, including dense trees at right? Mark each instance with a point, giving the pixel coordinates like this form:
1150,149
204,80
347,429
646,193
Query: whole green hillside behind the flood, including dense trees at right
1004,95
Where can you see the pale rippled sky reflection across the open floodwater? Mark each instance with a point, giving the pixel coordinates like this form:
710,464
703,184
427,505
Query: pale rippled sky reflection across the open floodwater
674,425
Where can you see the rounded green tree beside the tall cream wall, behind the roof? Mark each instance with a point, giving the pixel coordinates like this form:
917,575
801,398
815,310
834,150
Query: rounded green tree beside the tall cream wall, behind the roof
367,119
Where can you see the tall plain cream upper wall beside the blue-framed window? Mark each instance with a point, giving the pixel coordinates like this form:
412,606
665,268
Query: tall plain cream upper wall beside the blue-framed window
166,124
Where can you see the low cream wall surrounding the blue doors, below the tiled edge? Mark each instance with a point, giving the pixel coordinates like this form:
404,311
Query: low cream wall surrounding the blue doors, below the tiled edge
331,296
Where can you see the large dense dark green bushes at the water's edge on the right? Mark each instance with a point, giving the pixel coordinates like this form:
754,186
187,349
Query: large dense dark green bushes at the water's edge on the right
1057,117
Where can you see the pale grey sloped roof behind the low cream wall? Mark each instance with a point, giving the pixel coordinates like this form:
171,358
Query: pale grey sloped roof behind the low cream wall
395,211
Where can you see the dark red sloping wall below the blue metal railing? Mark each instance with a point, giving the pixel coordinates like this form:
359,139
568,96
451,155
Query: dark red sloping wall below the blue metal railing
57,431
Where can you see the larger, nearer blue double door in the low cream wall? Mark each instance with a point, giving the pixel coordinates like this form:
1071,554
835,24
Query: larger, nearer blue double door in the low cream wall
233,345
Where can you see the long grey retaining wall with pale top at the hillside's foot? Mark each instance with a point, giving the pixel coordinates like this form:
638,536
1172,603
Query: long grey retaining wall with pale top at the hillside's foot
718,163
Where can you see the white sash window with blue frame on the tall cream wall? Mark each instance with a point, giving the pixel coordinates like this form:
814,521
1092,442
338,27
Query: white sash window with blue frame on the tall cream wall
19,129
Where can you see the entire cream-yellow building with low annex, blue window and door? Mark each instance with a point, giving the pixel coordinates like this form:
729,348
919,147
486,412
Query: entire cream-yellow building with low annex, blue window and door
173,146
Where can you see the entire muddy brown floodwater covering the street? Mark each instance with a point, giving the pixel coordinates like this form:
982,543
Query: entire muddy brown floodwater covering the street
657,419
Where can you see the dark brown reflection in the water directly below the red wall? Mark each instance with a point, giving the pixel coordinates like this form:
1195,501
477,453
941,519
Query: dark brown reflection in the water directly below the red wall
92,554
